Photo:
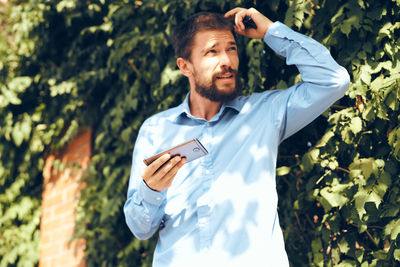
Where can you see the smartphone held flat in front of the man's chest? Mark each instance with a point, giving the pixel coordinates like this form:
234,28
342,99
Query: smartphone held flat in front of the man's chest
190,150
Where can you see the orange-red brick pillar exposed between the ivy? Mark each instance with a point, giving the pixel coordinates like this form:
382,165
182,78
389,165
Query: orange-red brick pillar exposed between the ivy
59,197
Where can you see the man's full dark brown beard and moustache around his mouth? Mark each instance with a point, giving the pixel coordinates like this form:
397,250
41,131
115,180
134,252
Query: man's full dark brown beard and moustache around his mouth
212,92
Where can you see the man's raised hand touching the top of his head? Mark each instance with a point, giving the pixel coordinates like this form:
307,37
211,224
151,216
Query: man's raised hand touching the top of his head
238,14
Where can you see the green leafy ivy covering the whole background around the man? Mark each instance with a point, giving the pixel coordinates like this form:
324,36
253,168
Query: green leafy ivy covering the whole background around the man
66,65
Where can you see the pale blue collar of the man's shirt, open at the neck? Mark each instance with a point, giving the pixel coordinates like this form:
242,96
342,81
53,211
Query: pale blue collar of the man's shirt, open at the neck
183,110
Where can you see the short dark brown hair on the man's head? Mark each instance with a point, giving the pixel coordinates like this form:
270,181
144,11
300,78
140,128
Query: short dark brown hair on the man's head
182,39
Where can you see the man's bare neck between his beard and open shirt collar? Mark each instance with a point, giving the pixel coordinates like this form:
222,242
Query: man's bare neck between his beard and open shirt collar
201,107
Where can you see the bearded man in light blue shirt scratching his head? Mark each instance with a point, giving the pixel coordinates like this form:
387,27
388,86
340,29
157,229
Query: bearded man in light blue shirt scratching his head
221,209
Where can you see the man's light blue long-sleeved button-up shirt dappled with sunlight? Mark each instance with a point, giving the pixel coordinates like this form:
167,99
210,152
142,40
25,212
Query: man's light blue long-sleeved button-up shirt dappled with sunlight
221,209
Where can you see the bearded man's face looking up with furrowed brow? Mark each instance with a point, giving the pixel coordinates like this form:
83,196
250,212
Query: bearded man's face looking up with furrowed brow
215,63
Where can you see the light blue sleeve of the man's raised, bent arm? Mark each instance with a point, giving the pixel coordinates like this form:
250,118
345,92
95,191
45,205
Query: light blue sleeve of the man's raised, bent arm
323,80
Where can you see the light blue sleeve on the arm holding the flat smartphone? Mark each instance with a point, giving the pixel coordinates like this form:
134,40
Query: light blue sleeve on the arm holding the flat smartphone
144,207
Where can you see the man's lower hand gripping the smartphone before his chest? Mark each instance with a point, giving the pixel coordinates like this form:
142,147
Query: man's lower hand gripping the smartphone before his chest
160,179
